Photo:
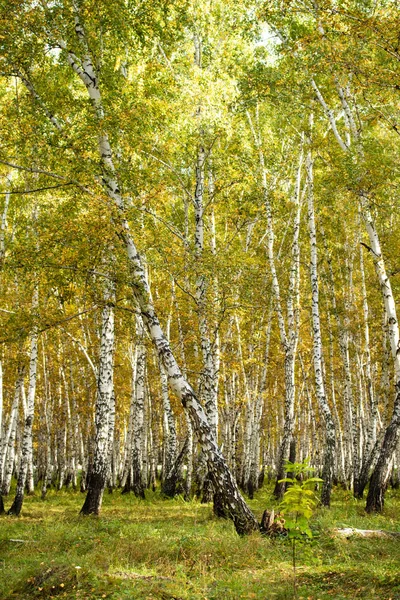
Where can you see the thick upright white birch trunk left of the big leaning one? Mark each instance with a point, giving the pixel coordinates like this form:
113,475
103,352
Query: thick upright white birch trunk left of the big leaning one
97,478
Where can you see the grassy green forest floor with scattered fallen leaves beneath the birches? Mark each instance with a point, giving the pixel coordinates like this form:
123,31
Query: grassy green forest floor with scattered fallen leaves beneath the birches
166,549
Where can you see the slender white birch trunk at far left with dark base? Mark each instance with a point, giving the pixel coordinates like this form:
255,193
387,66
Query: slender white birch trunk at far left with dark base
29,414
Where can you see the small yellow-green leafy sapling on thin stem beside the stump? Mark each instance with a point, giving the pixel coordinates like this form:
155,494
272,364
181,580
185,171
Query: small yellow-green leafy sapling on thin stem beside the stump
298,504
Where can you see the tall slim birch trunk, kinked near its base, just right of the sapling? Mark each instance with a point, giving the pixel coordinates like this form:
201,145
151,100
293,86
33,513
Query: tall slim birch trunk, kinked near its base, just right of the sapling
330,433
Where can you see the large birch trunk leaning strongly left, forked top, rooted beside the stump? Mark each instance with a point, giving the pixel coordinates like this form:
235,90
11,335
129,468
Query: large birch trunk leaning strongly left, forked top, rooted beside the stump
223,481
